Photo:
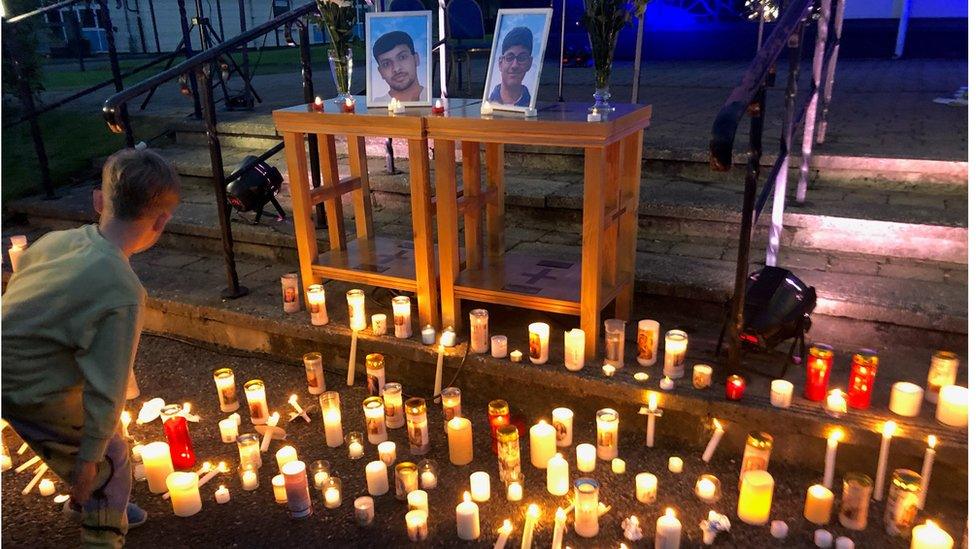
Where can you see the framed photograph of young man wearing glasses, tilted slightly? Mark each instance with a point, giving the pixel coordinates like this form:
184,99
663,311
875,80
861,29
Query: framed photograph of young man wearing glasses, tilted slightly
517,52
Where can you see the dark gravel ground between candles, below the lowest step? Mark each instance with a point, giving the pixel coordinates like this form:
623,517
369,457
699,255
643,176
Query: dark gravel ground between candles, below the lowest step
180,372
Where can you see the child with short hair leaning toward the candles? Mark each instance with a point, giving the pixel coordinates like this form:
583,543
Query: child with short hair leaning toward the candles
72,316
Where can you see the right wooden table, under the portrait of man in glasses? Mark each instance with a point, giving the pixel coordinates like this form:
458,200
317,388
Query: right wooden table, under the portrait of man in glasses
612,165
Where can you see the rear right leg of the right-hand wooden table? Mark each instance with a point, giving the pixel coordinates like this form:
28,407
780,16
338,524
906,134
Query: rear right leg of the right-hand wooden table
627,238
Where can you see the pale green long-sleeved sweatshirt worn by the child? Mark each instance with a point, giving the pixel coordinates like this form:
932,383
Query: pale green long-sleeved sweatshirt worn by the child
72,315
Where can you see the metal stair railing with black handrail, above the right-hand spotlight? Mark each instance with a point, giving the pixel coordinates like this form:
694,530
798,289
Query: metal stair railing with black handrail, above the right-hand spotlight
750,97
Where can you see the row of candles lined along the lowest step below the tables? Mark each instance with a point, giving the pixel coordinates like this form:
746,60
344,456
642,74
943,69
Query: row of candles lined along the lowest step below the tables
906,398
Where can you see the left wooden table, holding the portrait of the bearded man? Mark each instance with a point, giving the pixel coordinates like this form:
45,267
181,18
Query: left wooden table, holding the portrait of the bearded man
407,265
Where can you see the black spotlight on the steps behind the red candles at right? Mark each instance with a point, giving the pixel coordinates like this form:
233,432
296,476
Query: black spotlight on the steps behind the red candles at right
777,307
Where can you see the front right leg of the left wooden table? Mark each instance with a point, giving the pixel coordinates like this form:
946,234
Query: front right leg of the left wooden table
423,232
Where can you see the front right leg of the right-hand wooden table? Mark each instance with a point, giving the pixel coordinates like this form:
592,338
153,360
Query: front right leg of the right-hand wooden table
594,214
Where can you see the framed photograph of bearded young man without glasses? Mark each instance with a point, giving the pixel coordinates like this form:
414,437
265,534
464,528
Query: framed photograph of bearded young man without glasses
398,60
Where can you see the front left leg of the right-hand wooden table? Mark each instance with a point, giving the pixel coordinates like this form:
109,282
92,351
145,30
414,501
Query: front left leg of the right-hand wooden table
445,178
